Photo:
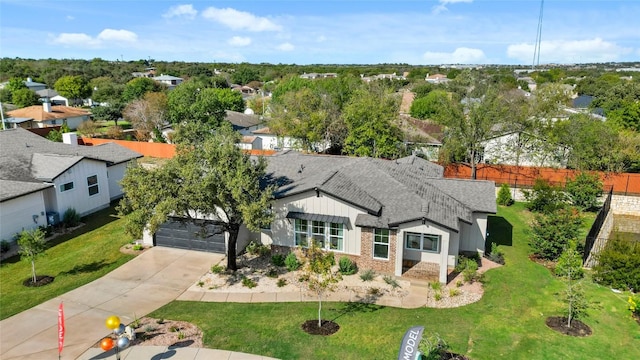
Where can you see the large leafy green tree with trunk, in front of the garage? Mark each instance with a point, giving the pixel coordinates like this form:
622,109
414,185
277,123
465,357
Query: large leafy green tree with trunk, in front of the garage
215,178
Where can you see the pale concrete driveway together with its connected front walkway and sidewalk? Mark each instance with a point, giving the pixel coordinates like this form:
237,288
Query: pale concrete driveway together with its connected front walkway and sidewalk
142,285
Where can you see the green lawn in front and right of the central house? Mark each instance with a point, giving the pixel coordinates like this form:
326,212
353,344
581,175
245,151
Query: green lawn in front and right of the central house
508,322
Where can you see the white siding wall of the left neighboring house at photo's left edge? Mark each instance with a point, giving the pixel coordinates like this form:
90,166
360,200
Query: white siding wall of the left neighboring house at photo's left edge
26,212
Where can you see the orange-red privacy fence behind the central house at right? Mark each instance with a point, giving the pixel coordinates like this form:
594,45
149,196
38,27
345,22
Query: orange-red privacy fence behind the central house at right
522,176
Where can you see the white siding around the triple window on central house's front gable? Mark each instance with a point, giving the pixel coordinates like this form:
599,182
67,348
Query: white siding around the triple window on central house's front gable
282,228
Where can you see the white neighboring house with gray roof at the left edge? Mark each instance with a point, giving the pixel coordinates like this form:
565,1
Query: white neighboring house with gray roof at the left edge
41,179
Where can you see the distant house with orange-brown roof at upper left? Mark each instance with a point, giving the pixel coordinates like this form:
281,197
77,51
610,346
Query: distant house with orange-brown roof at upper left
46,115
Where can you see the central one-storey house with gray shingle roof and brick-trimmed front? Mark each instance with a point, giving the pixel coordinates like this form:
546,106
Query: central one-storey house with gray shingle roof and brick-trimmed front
399,217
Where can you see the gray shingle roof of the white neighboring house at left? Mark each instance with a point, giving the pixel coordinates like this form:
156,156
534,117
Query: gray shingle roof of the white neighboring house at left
27,157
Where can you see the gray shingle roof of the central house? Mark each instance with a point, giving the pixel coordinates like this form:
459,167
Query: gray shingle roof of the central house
391,192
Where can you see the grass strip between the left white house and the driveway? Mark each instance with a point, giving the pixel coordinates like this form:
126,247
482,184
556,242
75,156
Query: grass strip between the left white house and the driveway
74,259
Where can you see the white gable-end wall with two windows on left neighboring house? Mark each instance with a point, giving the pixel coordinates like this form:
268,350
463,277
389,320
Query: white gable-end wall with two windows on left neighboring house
78,197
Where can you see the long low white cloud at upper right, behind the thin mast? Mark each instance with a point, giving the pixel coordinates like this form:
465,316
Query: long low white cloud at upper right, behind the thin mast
569,51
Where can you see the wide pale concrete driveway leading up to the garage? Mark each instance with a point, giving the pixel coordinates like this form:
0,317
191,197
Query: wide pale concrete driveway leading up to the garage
144,284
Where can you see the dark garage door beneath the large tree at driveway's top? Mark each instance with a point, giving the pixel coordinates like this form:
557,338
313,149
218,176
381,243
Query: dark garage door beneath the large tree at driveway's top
204,235
